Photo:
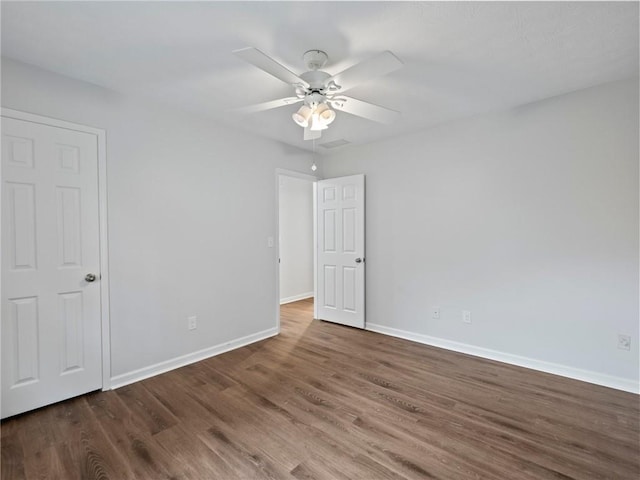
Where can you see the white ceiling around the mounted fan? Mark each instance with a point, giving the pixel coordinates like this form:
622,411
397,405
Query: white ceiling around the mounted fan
461,58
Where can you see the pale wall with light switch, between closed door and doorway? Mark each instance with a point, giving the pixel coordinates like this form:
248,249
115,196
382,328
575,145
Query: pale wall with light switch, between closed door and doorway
191,205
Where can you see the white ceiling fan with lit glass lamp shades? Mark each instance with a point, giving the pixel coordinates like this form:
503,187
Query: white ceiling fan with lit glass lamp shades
321,92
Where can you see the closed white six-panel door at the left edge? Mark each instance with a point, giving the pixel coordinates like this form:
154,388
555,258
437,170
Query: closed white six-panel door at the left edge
51,324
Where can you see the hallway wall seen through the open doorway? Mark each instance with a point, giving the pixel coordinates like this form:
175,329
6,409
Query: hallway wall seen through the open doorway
296,238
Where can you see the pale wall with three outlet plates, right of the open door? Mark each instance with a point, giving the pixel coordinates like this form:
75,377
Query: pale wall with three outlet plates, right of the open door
527,218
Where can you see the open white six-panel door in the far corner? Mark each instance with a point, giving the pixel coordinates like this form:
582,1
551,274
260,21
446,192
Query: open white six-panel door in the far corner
340,250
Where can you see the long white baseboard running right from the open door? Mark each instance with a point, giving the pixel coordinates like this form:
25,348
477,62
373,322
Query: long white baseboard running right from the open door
618,383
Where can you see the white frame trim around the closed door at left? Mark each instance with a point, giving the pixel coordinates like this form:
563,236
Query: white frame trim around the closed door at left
102,222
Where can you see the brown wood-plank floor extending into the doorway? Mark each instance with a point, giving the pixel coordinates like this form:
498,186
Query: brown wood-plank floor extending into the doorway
332,402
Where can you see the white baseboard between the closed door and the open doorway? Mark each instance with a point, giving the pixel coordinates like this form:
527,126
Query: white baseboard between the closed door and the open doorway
177,362
